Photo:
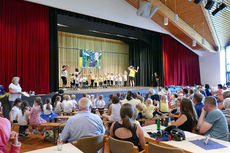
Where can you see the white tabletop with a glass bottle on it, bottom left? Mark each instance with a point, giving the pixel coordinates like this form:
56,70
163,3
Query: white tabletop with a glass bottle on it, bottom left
66,148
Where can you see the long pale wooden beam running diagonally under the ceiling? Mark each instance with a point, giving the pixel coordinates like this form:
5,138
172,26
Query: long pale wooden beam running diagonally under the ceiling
183,26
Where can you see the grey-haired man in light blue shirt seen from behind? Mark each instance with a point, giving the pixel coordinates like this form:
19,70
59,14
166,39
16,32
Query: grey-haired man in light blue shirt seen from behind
84,124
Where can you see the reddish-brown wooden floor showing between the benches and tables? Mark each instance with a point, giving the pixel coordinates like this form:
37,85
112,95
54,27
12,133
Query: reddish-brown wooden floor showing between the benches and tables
34,142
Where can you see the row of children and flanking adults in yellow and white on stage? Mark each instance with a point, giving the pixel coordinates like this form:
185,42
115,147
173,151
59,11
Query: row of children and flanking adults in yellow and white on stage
79,80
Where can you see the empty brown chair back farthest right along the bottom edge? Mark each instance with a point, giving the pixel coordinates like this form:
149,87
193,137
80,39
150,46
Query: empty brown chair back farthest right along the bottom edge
154,148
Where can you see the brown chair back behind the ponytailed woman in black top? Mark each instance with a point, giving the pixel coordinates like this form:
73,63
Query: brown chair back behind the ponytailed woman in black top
119,146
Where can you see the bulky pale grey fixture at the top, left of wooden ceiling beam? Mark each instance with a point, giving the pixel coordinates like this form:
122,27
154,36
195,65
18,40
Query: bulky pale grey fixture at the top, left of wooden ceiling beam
145,10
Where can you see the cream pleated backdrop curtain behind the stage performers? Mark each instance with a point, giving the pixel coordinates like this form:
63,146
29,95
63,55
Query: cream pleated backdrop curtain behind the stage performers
115,53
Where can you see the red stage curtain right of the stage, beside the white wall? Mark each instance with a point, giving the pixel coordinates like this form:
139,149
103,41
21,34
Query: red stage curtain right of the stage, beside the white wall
181,65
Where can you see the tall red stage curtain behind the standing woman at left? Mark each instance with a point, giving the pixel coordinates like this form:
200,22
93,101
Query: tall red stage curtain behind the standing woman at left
24,44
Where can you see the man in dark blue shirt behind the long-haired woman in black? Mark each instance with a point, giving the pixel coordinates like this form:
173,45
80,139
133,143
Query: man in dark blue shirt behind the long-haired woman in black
197,100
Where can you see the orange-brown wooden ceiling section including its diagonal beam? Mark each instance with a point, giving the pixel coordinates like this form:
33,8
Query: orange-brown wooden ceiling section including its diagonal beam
190,24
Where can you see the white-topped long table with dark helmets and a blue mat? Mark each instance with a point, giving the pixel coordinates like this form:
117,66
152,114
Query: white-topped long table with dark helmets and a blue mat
187,146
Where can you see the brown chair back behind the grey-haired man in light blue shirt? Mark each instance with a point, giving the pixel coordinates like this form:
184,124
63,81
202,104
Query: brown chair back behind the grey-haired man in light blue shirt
90,144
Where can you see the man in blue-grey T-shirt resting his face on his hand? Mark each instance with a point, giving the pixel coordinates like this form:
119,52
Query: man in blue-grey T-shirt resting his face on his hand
214,123
